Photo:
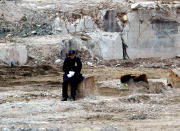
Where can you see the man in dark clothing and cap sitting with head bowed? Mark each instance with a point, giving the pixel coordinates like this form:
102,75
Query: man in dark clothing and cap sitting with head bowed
72,67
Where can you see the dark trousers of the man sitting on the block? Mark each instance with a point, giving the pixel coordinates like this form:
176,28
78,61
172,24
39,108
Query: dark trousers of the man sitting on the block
74,81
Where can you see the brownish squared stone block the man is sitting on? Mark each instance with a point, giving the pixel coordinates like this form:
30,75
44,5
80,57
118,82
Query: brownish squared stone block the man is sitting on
85,88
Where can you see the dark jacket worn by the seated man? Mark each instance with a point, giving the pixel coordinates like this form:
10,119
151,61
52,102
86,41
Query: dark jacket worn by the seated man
72,65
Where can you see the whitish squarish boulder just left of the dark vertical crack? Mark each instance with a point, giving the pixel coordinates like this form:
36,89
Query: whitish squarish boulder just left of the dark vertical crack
107,45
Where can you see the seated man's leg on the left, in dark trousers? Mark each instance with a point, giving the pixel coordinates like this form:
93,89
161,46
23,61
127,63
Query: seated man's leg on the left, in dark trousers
65,88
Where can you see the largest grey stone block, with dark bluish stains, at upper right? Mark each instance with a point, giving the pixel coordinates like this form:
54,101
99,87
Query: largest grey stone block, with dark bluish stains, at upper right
146,38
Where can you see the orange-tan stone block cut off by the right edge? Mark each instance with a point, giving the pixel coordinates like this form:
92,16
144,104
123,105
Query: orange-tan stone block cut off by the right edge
174,77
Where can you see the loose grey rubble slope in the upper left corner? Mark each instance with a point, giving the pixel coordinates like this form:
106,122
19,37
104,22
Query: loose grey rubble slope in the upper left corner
30,23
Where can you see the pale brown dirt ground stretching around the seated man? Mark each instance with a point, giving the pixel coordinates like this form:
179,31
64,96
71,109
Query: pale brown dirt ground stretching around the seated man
30,100
